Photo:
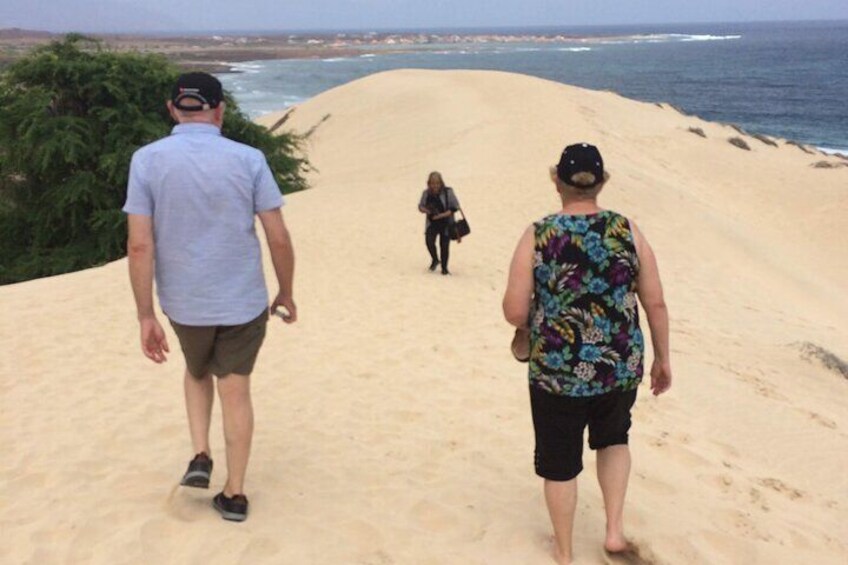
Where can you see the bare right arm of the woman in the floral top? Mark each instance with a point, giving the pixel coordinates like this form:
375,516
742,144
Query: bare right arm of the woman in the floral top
649,289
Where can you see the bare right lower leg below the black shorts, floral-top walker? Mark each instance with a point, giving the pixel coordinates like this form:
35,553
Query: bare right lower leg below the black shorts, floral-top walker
613,464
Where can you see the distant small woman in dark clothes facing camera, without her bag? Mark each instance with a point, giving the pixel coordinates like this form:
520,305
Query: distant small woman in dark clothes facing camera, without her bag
439,203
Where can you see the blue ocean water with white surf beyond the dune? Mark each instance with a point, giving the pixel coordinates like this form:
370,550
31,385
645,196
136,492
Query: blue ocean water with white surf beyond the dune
786,79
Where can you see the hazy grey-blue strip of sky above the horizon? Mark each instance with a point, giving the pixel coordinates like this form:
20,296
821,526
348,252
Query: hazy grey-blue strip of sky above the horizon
288,15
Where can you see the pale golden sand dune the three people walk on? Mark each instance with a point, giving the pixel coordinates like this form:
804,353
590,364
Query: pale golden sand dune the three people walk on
393,426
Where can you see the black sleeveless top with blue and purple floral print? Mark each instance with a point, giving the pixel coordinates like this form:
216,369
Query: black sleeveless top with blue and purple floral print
584,330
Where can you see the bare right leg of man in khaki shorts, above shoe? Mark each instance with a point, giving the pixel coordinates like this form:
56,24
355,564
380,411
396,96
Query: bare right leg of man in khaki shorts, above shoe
237,412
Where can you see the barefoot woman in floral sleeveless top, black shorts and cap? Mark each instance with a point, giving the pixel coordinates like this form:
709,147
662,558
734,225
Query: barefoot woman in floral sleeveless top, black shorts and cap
573,287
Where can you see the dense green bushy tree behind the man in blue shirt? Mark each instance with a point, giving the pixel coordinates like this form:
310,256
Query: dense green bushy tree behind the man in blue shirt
71,116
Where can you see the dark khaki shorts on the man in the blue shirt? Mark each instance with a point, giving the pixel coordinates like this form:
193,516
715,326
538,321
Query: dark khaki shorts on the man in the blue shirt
221,350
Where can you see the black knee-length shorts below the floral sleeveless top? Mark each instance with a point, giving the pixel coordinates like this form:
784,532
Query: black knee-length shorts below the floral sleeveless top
559,422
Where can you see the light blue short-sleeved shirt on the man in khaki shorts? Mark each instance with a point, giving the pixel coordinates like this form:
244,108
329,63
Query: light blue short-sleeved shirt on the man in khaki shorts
203,192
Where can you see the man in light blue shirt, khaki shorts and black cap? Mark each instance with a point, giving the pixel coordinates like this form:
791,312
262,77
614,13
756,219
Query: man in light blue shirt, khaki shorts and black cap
191,202
